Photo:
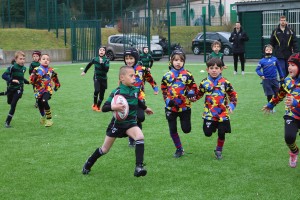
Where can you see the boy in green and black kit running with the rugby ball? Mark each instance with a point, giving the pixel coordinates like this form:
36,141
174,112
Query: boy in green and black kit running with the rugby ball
125,128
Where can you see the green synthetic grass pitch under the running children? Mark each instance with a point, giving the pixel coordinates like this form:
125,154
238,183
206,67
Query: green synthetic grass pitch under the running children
45,163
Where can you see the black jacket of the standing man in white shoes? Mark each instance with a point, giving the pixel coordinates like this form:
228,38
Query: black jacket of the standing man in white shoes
238,39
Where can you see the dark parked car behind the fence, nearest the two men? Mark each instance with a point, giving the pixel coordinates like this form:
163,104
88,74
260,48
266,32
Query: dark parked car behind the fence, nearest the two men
223,37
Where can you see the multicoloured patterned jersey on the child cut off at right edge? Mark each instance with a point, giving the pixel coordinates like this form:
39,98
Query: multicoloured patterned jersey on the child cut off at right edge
291,87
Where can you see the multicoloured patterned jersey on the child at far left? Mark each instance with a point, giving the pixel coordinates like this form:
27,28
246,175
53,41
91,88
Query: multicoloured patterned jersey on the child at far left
43,78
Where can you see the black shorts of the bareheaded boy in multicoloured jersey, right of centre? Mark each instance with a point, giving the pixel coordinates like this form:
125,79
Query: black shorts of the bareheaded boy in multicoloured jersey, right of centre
211,126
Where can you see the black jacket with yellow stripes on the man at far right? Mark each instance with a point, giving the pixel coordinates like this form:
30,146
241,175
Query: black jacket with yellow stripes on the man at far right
284,43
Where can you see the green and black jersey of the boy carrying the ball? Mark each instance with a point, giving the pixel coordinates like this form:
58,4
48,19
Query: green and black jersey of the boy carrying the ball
131,95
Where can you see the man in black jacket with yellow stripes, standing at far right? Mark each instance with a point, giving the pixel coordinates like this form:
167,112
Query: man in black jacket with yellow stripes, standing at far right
284,41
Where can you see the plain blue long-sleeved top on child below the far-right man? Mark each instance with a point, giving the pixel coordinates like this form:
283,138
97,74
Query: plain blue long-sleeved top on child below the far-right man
270,66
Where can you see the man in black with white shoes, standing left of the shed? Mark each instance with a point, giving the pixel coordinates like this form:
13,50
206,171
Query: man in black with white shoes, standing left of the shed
238,37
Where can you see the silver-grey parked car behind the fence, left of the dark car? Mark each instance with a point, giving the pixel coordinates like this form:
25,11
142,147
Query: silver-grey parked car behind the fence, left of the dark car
118,43
